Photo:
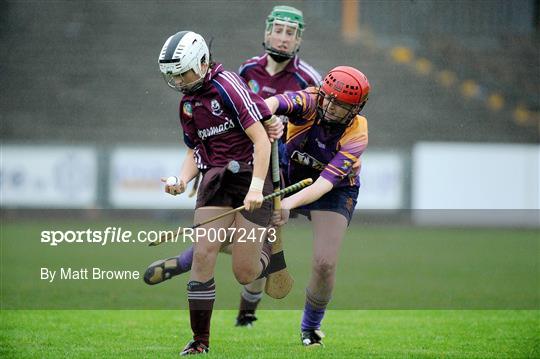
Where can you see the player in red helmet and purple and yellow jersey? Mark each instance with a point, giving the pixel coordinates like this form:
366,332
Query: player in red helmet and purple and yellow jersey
325,138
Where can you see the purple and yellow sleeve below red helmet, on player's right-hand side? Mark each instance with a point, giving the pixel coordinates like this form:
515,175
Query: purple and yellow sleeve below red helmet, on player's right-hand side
352,145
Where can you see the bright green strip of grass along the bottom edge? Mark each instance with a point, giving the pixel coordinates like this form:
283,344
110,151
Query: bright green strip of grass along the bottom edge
353,334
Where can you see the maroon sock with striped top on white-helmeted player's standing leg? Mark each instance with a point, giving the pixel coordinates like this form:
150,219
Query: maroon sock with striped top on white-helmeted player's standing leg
201,298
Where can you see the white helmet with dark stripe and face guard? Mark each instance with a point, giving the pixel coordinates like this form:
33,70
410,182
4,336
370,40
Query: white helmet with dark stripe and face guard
182,52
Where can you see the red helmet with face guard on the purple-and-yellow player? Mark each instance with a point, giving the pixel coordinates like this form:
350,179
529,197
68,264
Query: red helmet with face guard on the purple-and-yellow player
345,90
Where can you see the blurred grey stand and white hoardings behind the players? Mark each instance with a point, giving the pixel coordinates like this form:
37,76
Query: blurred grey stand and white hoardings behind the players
453,112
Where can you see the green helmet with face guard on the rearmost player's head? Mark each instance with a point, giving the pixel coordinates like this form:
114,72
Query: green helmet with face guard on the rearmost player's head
285,24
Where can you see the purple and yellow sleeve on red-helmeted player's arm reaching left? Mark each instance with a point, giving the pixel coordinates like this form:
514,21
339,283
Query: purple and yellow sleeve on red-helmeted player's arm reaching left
298,106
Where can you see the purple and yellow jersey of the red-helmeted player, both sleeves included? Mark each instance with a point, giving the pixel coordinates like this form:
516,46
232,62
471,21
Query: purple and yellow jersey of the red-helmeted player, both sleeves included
315,150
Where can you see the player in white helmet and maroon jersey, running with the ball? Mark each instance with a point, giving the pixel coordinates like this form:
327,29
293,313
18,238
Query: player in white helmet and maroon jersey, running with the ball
221,121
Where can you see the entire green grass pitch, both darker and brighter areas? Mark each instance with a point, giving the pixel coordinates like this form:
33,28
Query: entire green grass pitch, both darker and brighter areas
483,283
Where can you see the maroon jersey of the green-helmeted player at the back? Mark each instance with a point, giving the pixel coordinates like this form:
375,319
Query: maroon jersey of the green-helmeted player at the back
297,75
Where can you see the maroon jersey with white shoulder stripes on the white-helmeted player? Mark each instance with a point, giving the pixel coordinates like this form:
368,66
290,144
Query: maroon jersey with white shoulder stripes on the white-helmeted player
214,119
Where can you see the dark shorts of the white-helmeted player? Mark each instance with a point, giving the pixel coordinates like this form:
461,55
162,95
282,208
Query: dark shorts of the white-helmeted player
221,187
